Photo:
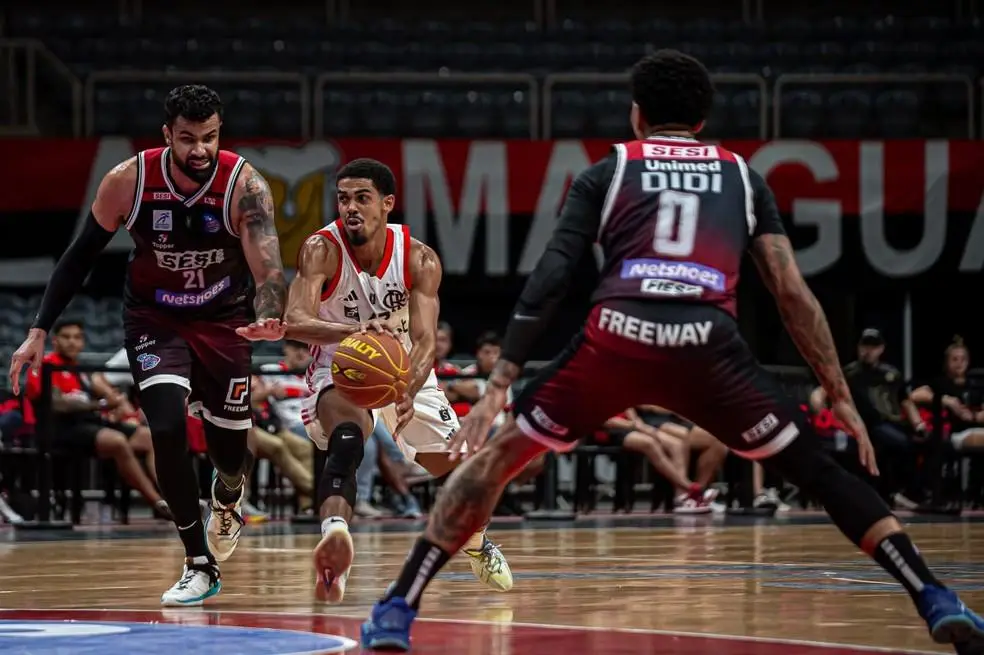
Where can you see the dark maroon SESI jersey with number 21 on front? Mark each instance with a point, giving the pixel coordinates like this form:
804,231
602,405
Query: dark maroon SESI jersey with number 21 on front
188,258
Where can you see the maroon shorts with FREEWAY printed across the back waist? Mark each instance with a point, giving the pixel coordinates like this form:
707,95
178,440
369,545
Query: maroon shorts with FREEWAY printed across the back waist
688,358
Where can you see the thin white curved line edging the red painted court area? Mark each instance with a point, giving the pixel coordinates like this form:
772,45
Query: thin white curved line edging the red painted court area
547,626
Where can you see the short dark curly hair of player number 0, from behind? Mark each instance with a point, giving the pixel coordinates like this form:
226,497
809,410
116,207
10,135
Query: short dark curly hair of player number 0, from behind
672,88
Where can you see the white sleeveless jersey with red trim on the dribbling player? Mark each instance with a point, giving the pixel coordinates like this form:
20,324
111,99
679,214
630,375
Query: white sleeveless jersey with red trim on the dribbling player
356,296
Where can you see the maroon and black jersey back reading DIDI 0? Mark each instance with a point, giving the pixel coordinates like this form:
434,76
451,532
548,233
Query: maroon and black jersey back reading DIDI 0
675,224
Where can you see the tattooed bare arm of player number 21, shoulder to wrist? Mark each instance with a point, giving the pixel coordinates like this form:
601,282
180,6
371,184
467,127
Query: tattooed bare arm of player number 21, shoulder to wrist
253,204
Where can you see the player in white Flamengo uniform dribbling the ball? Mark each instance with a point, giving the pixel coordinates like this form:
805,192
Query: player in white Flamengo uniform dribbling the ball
356,274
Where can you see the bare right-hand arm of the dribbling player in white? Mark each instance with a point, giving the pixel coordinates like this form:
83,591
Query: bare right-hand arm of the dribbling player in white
425,274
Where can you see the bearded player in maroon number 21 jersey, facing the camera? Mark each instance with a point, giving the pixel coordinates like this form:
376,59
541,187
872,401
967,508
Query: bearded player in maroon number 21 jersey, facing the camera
202,221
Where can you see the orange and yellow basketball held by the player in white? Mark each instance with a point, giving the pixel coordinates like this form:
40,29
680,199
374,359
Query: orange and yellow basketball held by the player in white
371,370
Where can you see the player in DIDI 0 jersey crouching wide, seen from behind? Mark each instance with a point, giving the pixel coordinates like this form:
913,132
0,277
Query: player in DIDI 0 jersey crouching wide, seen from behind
674,217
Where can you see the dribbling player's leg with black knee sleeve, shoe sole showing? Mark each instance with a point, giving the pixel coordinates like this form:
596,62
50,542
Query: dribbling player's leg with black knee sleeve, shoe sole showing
347,428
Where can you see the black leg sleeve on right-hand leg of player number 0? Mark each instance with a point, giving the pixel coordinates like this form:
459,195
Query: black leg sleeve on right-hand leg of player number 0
853,505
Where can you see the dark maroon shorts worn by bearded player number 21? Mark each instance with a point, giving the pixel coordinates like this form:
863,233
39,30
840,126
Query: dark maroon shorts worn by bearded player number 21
206,357
